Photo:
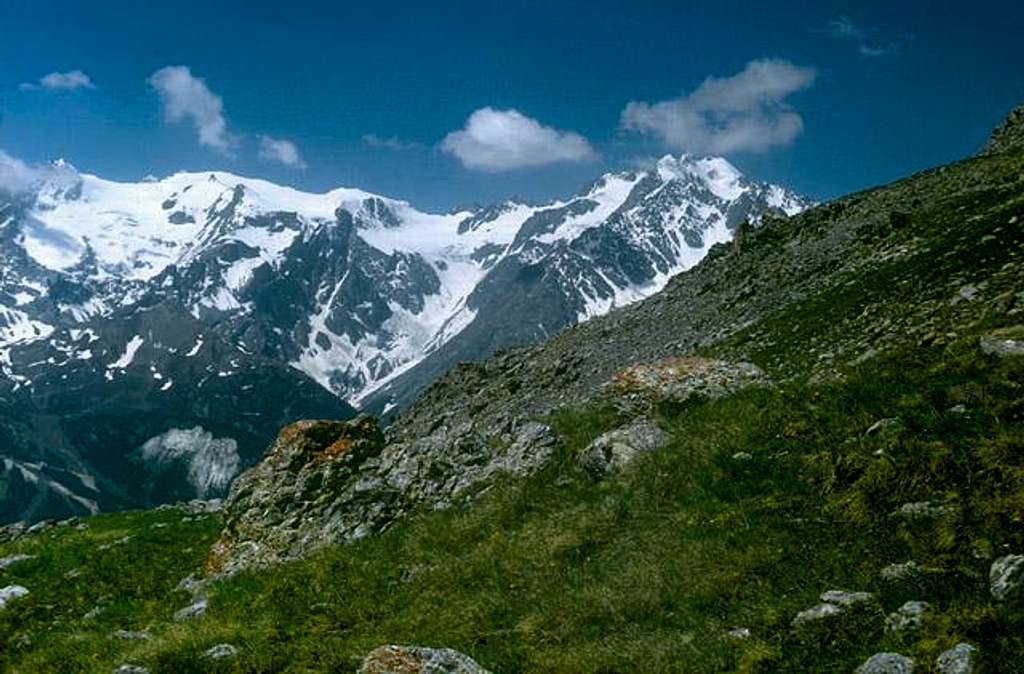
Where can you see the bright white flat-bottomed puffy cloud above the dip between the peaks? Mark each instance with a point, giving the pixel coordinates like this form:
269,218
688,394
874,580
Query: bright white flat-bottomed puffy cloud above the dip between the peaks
503,140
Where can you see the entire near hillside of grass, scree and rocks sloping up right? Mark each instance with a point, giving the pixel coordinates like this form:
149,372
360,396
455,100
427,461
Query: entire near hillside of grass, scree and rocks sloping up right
815,459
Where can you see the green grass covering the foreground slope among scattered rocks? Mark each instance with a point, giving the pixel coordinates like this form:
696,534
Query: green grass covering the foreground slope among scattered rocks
647,572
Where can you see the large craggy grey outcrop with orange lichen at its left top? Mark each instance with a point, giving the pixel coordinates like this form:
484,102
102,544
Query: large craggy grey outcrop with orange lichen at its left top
325,483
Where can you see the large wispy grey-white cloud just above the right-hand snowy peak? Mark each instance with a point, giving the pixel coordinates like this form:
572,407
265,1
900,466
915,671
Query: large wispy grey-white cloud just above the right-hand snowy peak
745,113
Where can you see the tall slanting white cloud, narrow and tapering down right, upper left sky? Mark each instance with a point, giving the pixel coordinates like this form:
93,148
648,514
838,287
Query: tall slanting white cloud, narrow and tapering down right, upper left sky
188,98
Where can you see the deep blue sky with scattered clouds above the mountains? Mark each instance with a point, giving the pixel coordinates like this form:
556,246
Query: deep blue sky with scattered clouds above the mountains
465,103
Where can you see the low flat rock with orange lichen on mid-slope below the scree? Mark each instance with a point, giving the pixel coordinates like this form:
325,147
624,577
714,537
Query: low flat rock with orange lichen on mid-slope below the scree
679,380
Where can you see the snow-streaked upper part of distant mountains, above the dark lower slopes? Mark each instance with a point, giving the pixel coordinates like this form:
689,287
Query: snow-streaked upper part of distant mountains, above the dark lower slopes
356,289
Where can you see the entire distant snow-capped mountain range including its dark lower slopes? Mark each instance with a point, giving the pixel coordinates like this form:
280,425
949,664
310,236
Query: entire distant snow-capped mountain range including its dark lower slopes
173,324
